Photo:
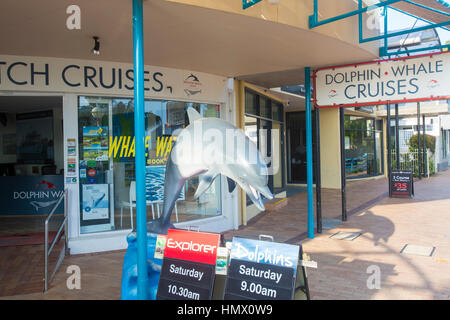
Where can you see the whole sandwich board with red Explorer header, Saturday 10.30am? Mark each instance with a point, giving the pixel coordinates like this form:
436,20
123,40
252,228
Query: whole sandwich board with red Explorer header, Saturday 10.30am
188,267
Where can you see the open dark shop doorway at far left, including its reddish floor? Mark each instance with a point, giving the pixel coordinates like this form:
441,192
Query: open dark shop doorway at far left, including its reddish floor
31,182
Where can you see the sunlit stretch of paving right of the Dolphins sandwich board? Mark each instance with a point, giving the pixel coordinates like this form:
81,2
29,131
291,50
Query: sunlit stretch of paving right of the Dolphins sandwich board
386,228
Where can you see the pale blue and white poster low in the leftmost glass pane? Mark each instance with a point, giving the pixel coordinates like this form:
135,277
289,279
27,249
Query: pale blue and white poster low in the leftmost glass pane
95,201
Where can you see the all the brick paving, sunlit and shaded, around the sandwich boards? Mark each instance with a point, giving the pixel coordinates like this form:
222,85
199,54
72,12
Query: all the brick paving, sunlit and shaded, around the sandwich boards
343,266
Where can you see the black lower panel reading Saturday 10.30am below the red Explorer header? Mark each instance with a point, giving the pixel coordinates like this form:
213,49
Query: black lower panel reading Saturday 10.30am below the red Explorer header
184,280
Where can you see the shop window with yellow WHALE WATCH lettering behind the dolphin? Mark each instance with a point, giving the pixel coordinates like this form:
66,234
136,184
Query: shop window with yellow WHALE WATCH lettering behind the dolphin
107,167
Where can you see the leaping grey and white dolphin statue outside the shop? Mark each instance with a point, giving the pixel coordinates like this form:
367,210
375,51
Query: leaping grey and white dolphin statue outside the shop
193,154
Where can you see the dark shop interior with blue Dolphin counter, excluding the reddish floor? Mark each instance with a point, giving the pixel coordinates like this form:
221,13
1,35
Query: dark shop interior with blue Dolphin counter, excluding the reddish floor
31,162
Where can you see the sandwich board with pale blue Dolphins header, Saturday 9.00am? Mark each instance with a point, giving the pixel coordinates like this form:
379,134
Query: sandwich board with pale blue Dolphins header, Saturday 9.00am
261,270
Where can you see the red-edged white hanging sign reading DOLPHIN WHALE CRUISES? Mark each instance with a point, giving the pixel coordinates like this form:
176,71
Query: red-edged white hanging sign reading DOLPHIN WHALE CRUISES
420,78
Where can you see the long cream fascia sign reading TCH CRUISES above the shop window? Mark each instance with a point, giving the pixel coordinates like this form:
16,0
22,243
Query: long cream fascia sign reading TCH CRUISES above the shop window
18,73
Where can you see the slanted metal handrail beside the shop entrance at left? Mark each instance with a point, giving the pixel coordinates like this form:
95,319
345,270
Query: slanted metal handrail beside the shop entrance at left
61,227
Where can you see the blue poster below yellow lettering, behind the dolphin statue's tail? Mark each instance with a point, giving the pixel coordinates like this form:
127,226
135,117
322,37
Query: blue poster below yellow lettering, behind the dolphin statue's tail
154,184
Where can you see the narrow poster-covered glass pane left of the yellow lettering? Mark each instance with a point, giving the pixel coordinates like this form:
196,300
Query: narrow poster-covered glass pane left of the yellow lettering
96,168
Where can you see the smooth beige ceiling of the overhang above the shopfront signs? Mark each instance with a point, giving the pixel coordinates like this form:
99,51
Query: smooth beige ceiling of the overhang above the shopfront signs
175,35
